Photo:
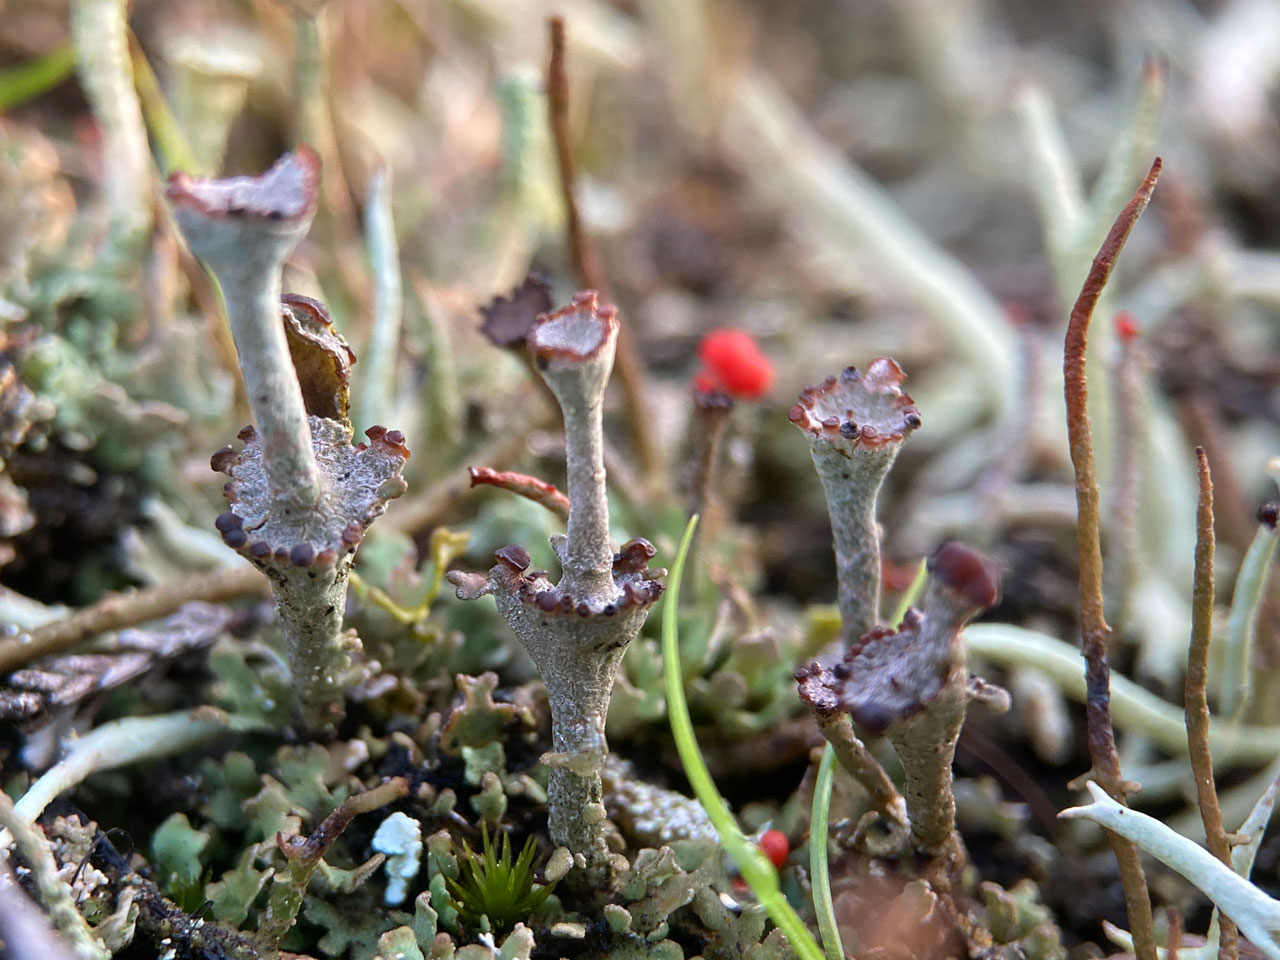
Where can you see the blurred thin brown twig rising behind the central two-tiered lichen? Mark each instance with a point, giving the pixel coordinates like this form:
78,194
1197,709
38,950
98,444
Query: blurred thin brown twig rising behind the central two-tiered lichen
587,266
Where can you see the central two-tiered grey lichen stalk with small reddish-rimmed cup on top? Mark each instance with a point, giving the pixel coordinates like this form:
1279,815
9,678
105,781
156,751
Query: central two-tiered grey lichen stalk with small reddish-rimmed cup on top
578,629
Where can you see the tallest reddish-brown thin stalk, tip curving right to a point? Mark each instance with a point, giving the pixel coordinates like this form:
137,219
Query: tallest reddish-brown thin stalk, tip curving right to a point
1094,625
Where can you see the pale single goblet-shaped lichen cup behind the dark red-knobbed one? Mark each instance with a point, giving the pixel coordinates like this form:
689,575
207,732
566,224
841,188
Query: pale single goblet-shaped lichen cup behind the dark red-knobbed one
856,424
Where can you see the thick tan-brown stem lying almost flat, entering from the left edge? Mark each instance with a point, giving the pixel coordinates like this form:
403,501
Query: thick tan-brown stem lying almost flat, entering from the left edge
129,610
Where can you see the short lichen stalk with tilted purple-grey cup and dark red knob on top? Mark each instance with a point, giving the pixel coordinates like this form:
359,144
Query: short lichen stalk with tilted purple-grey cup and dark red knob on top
913,687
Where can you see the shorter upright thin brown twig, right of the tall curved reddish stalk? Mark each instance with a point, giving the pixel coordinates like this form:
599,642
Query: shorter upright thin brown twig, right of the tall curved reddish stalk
1195,701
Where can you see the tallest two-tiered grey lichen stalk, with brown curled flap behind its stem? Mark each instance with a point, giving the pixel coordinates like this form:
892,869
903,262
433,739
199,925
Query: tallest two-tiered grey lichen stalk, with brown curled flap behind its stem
301,493
